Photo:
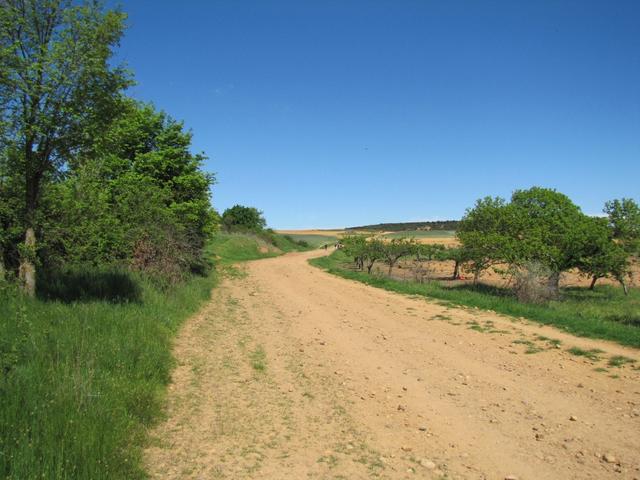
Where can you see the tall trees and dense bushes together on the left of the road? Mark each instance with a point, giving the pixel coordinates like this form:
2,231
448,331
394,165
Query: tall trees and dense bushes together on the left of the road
88,176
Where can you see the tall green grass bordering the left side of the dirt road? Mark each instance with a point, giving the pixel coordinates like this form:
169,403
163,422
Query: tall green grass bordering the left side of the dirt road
84,368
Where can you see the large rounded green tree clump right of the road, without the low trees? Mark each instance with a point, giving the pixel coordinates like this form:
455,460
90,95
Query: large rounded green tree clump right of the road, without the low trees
543,227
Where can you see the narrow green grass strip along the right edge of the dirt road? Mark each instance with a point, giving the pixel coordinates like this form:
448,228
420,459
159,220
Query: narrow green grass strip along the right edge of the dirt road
604,313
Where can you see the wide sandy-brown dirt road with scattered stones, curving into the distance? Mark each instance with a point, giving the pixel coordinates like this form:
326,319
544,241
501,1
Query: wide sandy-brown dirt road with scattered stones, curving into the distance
291,373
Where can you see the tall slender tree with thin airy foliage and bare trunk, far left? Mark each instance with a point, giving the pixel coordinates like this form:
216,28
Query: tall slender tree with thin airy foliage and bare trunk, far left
56,89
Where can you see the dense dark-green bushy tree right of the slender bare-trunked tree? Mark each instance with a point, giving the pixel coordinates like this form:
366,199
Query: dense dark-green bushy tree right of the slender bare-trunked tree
142,200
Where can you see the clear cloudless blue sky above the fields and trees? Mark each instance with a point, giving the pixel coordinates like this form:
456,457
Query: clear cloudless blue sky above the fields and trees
339,113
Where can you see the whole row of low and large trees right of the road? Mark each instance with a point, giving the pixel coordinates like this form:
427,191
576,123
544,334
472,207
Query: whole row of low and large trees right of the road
535,237
